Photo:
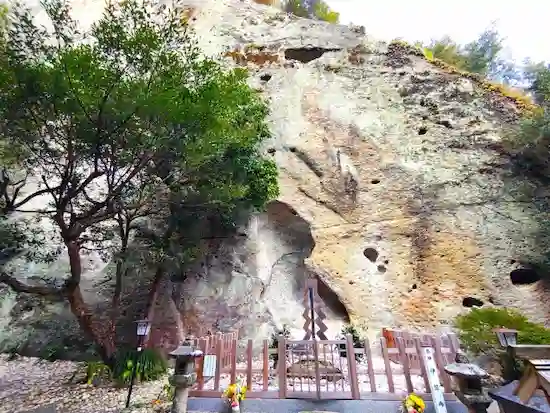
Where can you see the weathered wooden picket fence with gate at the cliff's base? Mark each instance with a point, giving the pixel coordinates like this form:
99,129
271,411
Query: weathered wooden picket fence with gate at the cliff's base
378,370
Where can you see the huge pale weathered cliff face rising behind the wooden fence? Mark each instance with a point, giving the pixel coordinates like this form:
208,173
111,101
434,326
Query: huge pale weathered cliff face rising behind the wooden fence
393,188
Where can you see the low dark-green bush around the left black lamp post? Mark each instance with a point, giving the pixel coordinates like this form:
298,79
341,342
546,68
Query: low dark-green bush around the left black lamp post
151,365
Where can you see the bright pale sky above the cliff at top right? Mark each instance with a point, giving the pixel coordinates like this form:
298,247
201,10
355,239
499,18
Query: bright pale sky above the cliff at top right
526,29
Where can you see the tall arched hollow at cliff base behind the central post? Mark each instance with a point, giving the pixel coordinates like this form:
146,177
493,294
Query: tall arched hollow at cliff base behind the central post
284,290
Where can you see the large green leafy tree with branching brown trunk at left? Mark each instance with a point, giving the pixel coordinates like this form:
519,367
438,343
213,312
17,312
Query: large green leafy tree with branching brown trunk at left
133,123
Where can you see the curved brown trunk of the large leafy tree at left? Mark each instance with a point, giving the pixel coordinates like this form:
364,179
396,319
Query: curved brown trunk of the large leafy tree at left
101,332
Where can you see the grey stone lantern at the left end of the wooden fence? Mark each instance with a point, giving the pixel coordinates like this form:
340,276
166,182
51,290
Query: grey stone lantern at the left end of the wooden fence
184,375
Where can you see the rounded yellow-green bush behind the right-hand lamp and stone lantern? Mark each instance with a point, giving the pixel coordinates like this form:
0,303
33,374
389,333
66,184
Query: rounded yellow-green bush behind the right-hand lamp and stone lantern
476,329
